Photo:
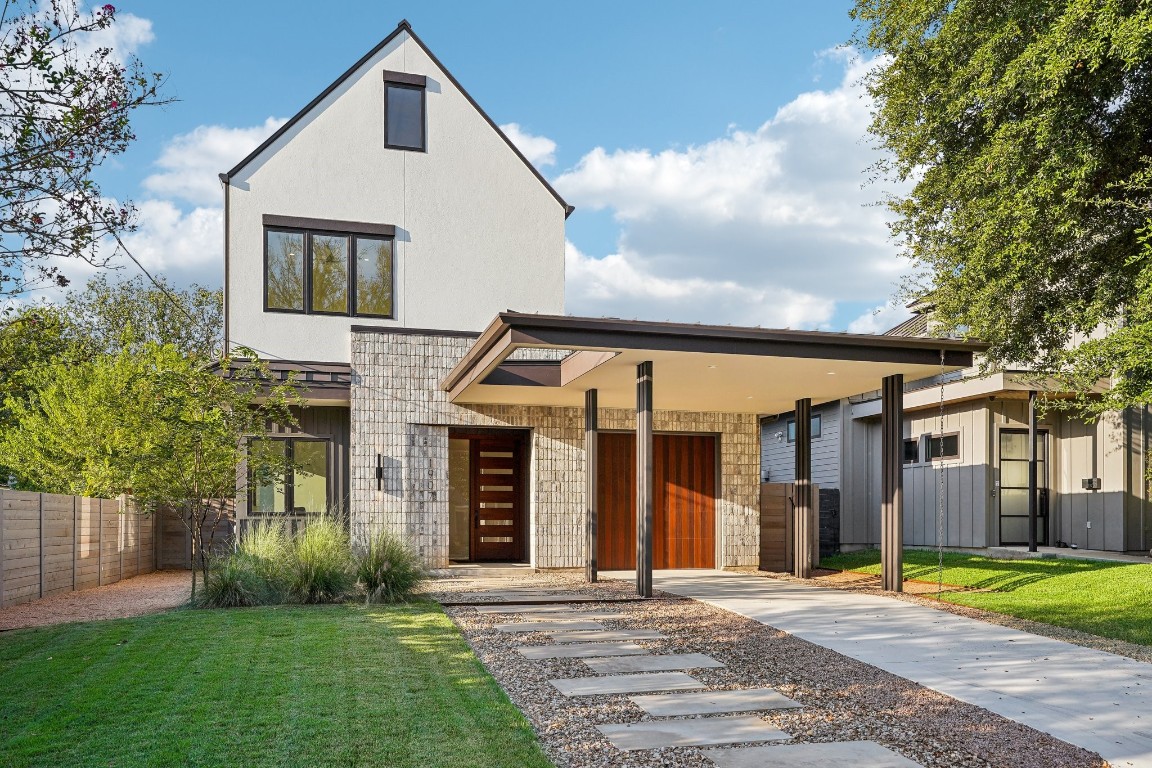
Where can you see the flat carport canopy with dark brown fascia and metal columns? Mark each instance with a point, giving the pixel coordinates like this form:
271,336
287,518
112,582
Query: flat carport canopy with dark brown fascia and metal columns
562,361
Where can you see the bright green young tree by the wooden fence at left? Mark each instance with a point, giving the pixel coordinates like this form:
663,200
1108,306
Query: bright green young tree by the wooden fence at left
151,423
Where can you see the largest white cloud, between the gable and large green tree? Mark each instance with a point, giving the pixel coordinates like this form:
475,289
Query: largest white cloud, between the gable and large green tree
780,211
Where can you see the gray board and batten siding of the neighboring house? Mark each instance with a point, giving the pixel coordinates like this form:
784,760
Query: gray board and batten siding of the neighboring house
1113,451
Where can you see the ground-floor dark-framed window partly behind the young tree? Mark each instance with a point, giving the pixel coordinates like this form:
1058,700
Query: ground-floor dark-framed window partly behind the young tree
302,486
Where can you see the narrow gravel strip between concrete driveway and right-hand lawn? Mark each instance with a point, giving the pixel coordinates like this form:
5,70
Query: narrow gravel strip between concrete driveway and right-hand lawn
922,594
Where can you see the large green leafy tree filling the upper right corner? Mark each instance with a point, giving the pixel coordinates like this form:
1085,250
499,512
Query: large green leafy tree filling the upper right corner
1025,131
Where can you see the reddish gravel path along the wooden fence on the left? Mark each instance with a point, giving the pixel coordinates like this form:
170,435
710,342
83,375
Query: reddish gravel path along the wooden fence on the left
141,595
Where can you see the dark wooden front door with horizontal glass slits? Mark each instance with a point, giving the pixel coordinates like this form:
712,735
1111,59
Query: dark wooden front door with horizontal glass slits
497,499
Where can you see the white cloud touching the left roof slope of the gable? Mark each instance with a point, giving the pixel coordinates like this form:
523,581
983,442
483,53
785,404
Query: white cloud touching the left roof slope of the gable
192,163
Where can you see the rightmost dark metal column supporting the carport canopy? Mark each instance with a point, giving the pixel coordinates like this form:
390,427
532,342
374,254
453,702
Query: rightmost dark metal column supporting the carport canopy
892,484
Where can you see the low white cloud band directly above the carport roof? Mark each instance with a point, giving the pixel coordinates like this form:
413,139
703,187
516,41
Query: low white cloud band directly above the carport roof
623,285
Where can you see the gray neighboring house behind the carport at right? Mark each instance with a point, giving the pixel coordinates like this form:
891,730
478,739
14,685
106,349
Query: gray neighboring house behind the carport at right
1092,480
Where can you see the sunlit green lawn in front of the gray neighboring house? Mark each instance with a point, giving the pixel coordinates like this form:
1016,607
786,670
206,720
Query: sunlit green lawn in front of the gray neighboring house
1112,600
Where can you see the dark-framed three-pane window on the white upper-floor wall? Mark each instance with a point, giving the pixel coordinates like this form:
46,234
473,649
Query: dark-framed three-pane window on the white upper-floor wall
316,267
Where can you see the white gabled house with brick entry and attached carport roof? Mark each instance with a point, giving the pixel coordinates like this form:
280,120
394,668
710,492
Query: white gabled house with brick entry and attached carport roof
376,246
